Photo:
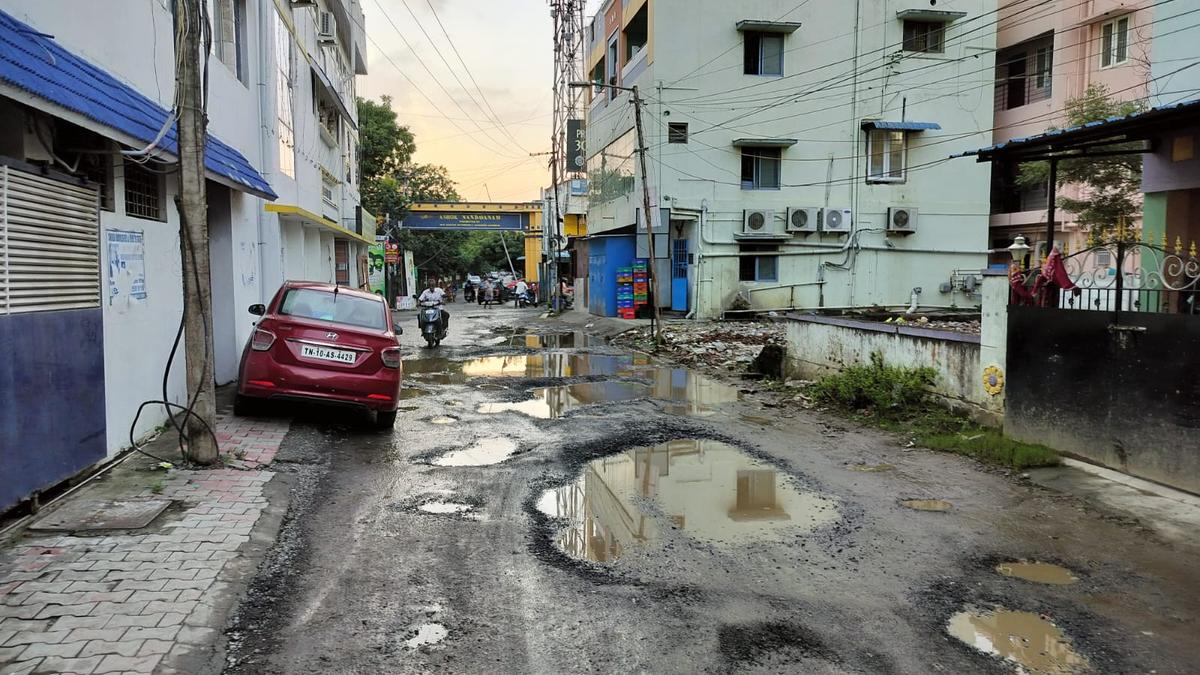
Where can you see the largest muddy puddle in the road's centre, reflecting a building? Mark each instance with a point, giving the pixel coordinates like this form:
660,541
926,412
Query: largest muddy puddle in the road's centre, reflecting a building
709,491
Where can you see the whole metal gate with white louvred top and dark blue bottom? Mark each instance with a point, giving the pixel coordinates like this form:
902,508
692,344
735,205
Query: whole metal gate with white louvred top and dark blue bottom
52,373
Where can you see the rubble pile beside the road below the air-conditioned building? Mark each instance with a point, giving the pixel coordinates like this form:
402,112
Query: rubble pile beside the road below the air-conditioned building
710,344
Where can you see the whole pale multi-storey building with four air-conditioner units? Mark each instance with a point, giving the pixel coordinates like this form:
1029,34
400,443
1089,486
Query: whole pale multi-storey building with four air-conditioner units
797,152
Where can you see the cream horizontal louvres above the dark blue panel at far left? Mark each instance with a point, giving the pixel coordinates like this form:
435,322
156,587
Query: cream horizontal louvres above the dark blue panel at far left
50,244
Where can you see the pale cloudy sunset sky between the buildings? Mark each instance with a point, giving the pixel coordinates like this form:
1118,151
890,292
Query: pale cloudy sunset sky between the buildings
481,122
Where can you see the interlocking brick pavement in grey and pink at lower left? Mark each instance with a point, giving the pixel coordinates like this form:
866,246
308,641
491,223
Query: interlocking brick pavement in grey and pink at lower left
130,602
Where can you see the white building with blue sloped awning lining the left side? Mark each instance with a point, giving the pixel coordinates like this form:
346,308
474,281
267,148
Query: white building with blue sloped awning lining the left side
86,89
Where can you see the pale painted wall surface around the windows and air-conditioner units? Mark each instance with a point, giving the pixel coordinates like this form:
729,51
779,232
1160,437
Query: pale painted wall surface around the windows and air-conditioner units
827,165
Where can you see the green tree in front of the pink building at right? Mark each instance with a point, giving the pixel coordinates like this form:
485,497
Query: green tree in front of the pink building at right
1113,186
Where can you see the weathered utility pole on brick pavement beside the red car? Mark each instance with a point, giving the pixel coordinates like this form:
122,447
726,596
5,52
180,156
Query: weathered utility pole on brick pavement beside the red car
191,29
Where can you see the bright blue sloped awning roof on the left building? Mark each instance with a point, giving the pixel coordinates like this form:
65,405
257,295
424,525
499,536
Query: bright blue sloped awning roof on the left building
34,64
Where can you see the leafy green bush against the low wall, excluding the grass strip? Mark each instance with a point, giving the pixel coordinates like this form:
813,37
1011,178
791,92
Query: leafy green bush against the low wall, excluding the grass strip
886,390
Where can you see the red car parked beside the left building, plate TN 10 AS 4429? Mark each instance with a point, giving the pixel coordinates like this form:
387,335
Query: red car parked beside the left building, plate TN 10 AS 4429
323,344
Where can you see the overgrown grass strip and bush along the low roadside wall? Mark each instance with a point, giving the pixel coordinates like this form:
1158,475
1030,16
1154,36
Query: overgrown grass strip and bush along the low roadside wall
898,399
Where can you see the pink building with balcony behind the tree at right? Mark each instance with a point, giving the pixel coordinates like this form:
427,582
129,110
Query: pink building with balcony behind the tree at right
1048,55
